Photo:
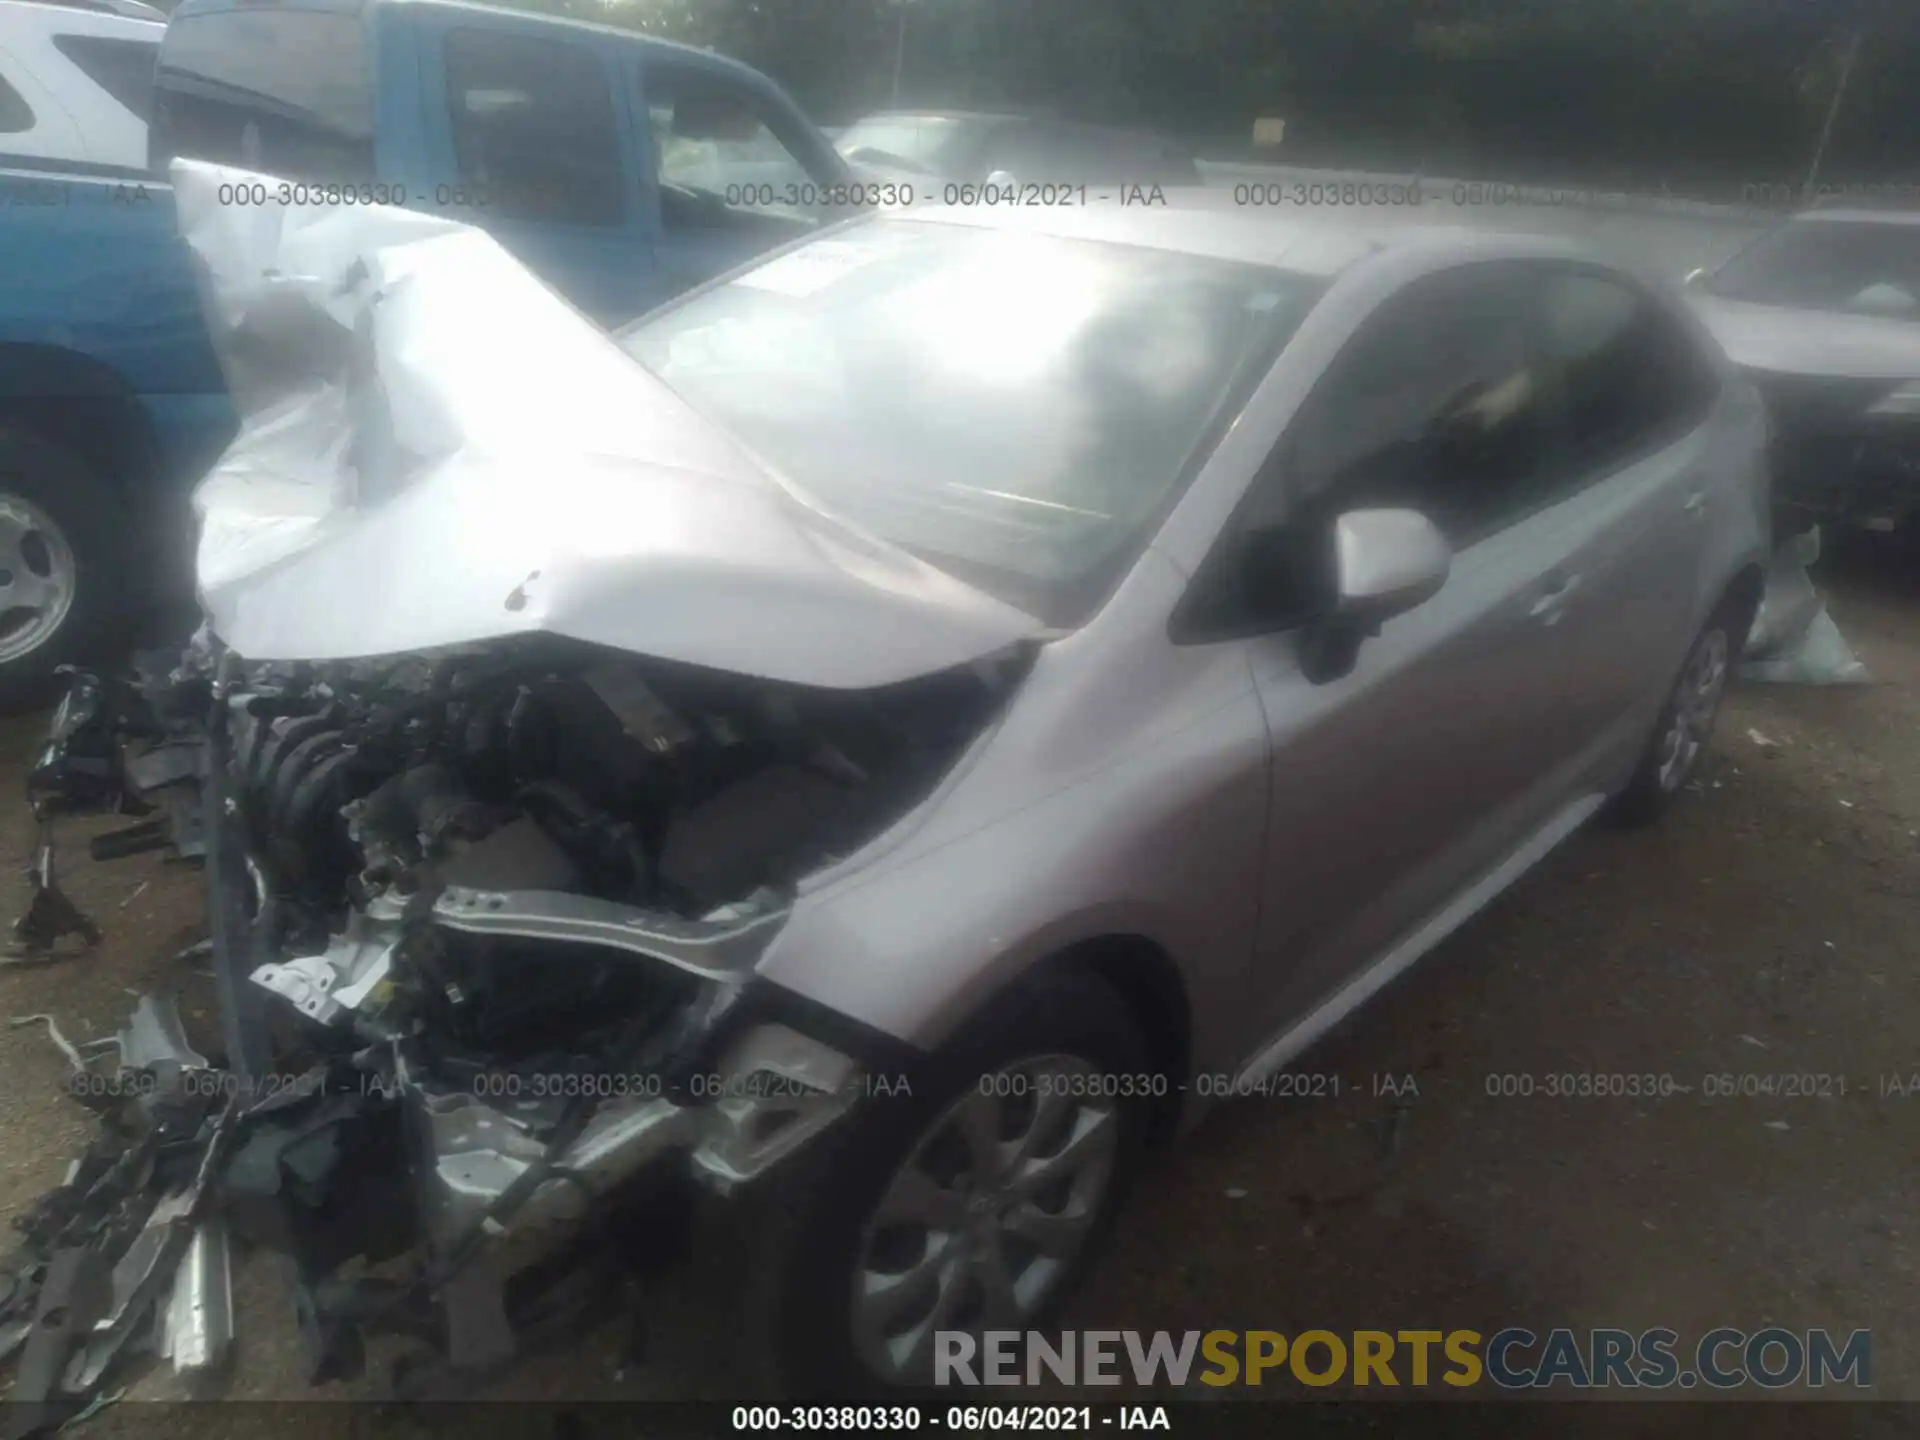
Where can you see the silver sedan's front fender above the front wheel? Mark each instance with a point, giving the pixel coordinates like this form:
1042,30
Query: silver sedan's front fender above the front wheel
1164,848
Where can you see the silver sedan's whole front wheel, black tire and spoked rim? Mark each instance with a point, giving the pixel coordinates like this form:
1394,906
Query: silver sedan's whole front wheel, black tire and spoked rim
972,1207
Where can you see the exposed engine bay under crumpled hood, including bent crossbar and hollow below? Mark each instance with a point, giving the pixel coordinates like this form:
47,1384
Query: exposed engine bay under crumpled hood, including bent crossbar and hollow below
686,804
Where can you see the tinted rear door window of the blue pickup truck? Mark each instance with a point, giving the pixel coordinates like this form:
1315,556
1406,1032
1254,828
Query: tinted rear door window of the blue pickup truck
535,128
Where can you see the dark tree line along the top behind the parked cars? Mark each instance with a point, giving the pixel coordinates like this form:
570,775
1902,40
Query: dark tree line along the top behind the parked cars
1702,97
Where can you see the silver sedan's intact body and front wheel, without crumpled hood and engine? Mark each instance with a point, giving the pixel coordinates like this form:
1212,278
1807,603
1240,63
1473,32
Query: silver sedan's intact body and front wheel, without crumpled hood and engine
1372,564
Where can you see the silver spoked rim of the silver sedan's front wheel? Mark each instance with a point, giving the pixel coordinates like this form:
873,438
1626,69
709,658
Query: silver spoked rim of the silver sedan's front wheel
986,1214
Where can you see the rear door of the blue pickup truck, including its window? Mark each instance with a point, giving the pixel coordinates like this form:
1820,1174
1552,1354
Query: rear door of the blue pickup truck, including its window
531,139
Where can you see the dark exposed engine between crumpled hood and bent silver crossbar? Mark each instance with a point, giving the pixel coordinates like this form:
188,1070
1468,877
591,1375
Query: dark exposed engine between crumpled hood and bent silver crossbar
646,784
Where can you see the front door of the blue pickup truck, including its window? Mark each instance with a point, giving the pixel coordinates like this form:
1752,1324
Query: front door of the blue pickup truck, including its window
729,172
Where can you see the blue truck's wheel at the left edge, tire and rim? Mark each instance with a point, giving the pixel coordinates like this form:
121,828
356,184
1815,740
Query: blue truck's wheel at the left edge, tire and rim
62,565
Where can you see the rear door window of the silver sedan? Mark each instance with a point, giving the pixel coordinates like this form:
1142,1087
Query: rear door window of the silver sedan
1631,375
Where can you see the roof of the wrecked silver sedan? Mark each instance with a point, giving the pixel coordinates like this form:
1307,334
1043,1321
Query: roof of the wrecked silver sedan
1209,224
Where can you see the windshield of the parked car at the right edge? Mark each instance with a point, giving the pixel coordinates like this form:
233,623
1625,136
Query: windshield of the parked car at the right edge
1848,266
